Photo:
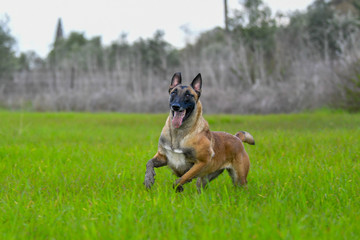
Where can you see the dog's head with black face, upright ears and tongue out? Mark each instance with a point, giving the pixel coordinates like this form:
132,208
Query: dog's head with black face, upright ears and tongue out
183,99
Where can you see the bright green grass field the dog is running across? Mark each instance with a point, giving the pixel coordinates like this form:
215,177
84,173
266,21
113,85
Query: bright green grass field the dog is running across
79,176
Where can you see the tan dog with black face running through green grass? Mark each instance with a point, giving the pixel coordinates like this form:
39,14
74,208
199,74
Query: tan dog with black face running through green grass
190,149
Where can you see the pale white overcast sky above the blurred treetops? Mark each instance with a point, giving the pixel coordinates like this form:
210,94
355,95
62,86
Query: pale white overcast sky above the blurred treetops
33,22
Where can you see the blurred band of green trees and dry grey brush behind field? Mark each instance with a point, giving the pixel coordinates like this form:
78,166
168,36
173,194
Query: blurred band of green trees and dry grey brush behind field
260,63
